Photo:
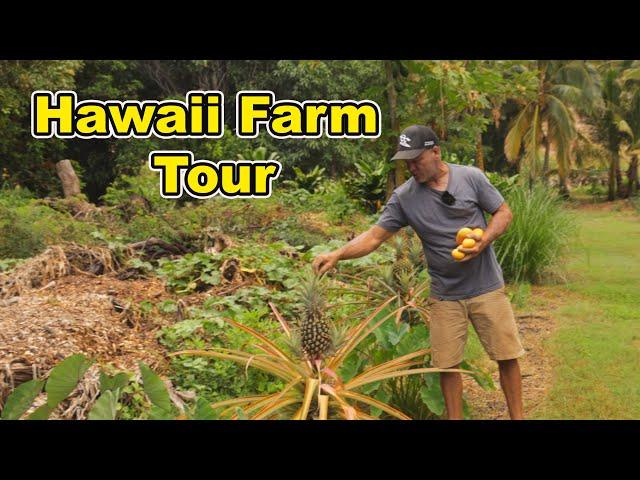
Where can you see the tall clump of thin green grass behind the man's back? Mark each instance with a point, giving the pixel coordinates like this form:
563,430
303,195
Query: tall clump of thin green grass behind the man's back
538,238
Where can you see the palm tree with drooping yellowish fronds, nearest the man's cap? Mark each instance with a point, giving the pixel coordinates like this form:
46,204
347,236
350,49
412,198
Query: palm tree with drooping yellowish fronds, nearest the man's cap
549,120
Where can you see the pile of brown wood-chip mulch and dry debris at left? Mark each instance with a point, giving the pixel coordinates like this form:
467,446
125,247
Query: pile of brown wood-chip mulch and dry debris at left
77,313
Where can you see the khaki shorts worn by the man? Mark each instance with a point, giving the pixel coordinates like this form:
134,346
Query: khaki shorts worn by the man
492,318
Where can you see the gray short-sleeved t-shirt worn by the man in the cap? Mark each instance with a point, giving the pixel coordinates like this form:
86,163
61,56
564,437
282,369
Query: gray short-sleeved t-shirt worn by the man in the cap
436,224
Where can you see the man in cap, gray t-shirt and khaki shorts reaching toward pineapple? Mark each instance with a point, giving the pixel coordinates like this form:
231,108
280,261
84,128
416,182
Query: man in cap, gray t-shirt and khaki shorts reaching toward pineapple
436,202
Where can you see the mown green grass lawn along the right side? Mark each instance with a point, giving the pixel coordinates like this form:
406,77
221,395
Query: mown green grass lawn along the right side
596,347
